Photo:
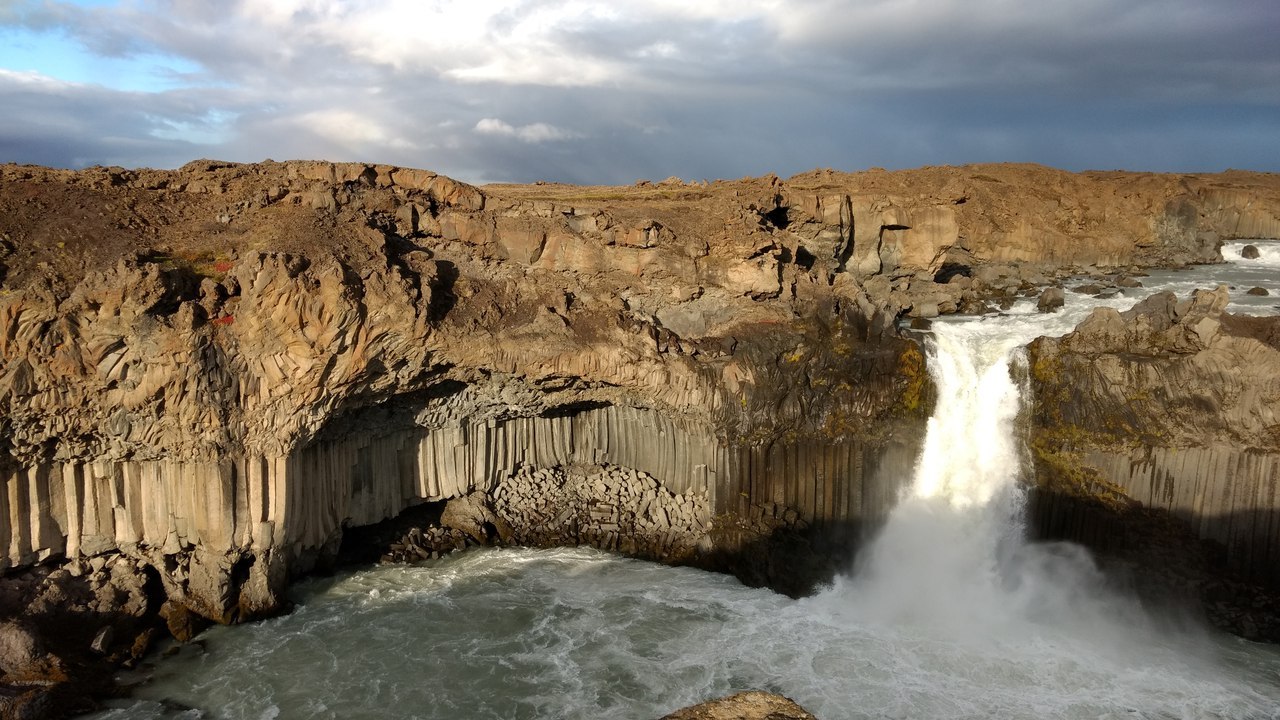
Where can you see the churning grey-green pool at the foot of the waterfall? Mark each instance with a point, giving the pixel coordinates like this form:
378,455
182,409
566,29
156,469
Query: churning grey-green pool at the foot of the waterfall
575,634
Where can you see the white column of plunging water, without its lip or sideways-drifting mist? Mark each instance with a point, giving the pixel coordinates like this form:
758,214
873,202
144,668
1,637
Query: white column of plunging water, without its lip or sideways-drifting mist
939,557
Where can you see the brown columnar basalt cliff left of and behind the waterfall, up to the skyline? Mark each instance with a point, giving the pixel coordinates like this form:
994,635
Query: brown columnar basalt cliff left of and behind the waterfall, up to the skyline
212,375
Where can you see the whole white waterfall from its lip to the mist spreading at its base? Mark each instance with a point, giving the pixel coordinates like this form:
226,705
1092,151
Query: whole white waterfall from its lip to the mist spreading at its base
953,557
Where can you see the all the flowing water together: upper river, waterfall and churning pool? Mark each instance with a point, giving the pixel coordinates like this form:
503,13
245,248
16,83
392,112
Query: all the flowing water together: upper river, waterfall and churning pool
948,614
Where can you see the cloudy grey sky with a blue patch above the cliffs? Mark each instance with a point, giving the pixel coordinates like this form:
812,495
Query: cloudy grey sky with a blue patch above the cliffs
615,92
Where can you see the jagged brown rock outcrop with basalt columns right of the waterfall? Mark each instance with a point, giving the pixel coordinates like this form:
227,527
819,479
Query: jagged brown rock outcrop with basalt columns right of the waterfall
1159,429
